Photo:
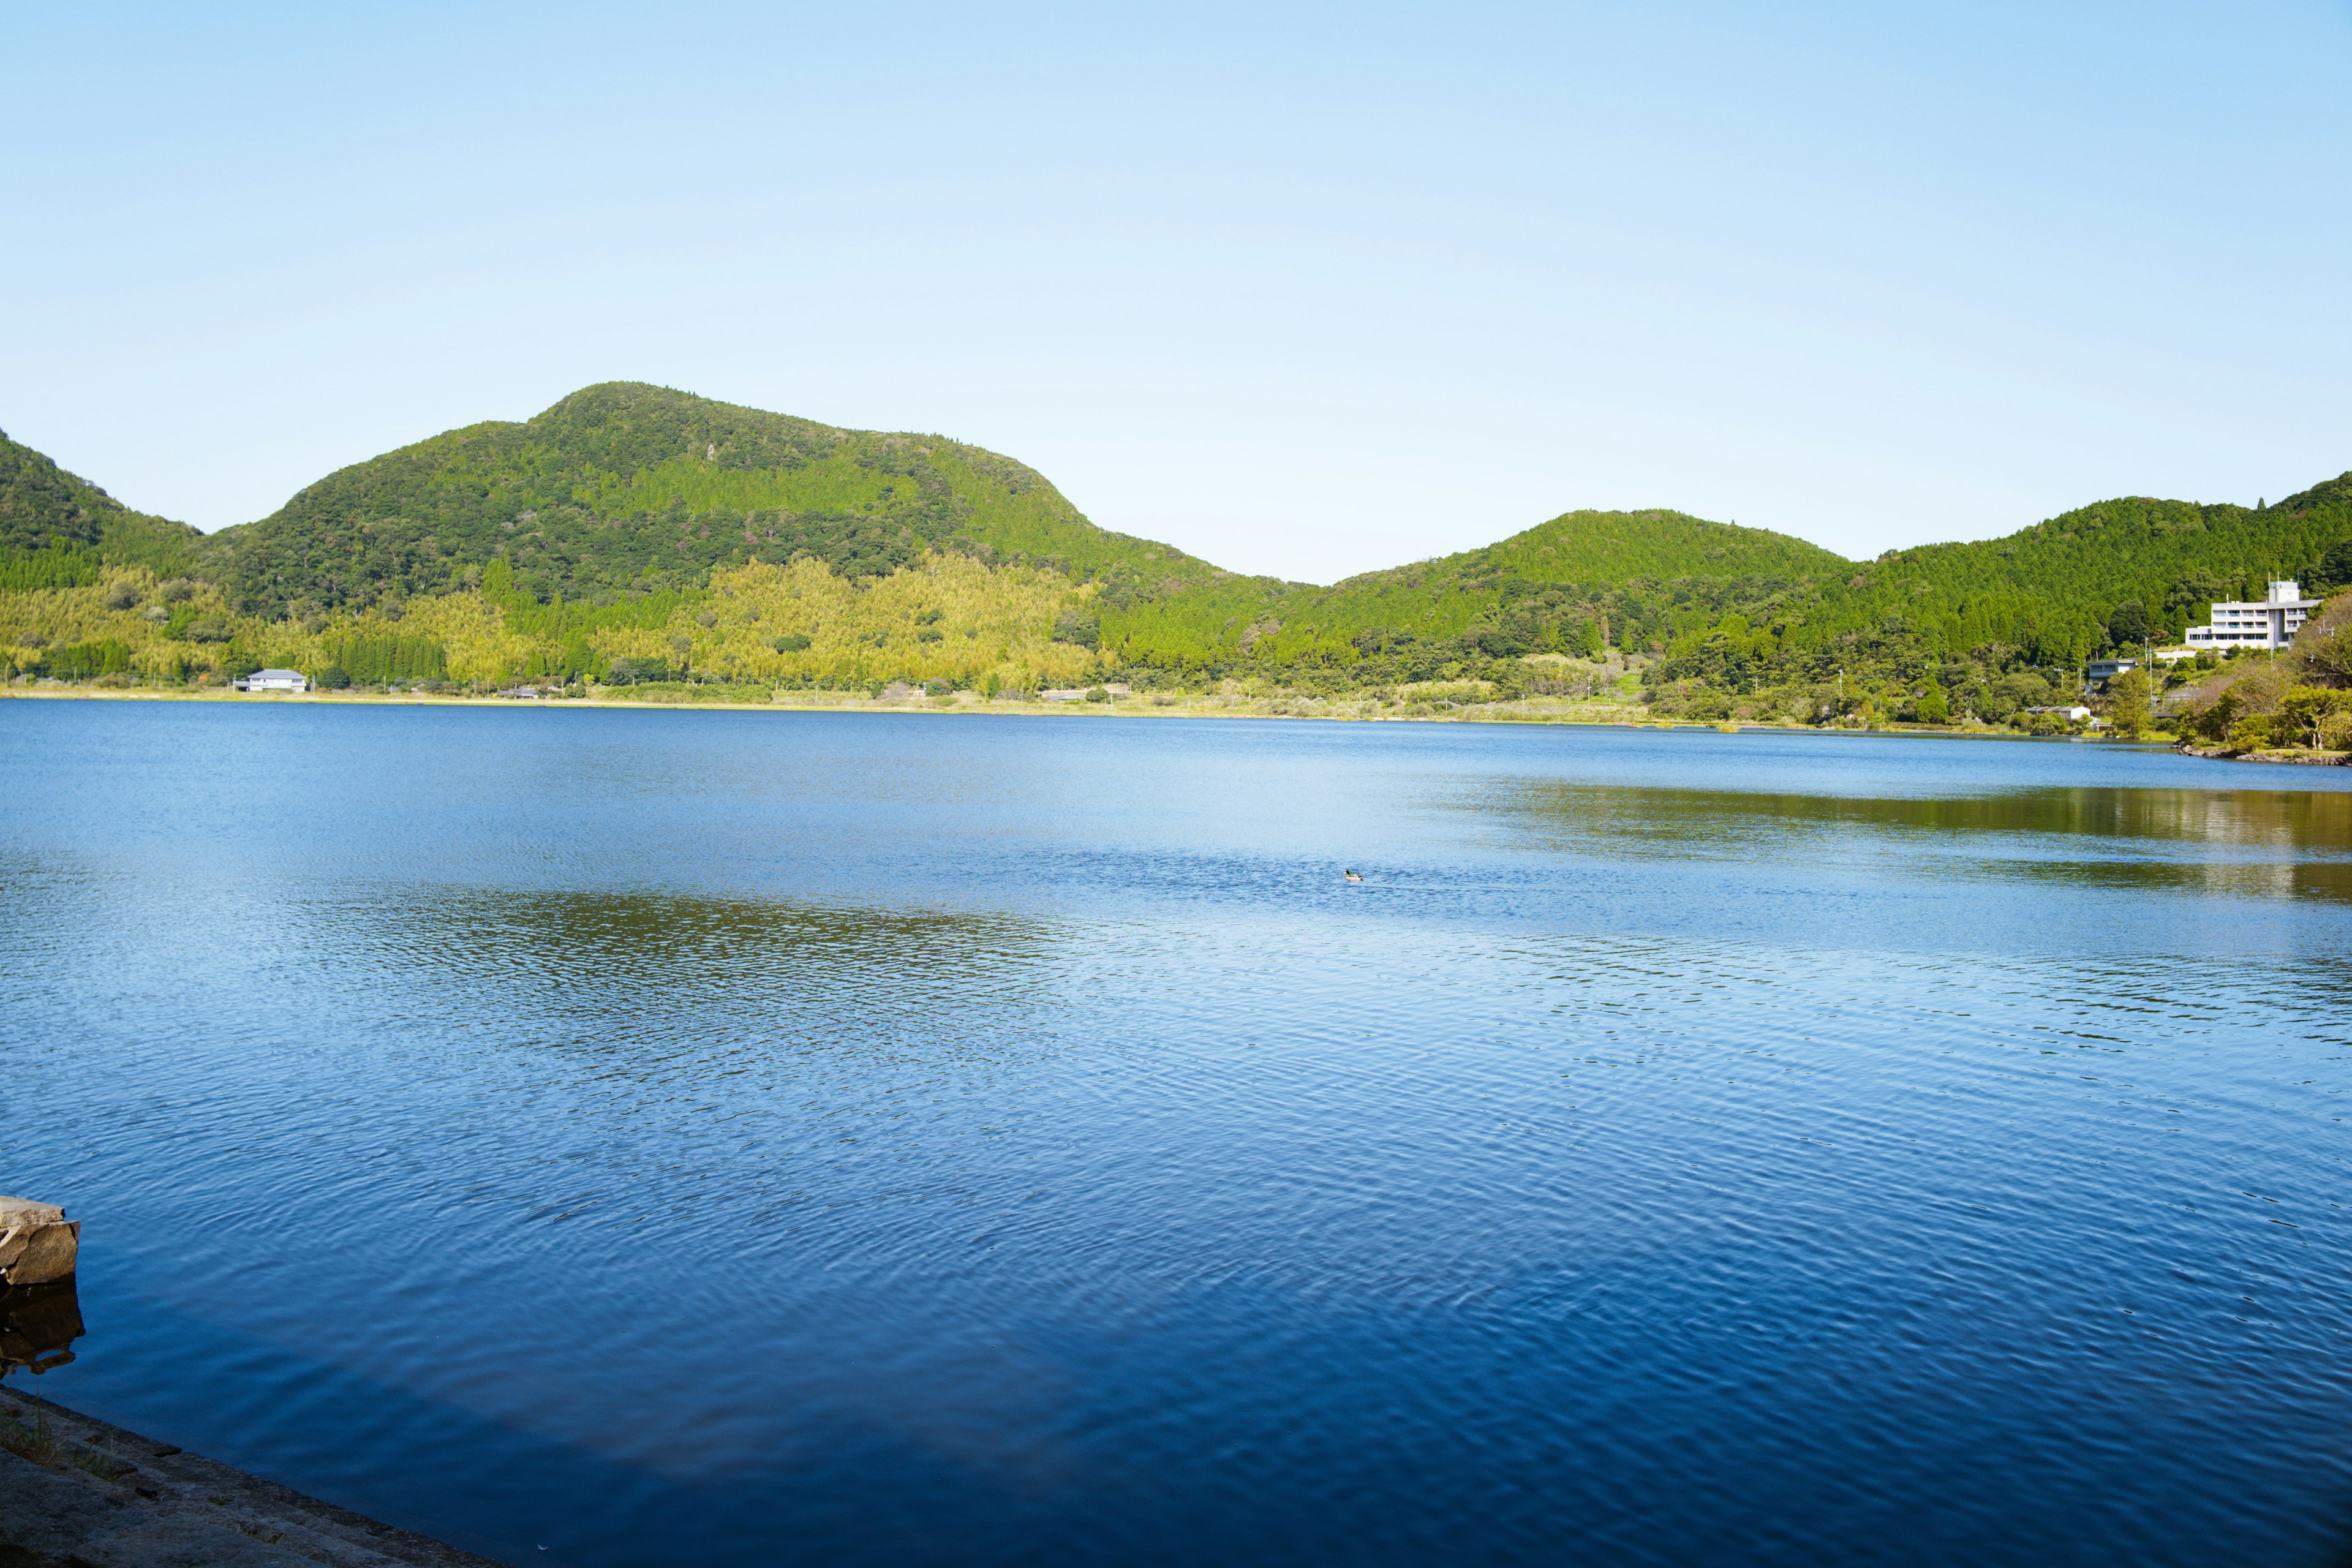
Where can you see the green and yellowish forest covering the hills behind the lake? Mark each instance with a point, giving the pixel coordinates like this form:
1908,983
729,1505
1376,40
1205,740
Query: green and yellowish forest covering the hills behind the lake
643,535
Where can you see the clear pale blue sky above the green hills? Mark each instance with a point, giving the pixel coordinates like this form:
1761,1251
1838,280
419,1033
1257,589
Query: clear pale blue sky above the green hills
1299,290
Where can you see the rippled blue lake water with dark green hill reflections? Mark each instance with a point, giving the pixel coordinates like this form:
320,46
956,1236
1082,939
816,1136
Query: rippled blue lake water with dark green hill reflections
855,1139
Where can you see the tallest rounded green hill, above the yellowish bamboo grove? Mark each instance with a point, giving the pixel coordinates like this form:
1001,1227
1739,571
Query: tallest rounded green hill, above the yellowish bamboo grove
624,490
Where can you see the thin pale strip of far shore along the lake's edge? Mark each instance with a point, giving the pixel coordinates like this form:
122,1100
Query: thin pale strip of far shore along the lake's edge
1603,716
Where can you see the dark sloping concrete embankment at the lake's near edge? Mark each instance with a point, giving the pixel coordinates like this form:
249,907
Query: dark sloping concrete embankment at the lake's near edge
79,1492
